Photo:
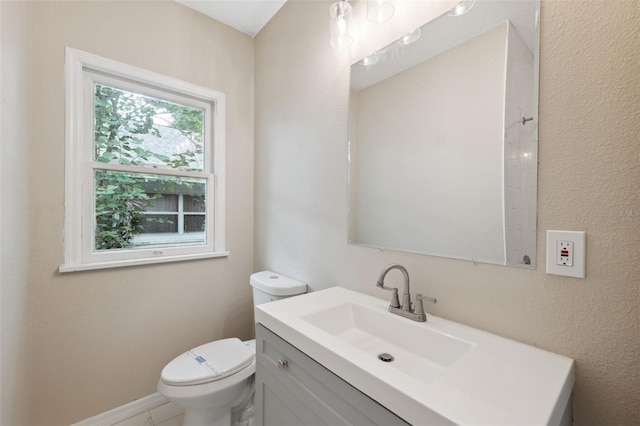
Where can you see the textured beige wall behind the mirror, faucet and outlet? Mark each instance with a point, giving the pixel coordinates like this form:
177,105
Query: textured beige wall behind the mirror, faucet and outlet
589,171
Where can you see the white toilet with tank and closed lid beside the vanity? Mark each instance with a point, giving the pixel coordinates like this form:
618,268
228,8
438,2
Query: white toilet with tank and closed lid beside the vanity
214,382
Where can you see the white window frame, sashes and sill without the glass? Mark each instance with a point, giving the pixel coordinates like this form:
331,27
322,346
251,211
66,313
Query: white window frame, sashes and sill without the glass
82,69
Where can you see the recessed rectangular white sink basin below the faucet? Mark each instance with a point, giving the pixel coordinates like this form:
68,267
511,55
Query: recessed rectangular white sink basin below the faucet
417,350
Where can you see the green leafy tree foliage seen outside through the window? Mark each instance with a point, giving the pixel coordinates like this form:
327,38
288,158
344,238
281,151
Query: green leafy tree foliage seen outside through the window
125,123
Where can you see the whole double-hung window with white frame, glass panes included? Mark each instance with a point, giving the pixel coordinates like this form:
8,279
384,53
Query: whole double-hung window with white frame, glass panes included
144,177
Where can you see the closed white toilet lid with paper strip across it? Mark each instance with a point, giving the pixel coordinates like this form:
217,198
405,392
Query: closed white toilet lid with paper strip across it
209,362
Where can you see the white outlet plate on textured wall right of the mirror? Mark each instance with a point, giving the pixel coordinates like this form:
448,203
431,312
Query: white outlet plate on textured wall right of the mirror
575,243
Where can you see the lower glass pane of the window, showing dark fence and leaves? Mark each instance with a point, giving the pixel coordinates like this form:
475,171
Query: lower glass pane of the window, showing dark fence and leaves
123,209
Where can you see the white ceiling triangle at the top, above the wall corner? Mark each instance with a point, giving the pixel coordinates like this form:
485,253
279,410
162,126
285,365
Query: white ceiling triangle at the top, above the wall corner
248,16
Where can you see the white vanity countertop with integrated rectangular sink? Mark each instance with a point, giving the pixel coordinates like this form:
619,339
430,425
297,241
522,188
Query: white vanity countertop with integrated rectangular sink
443,373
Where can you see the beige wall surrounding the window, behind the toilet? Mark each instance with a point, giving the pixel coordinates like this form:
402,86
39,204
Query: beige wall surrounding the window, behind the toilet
101,338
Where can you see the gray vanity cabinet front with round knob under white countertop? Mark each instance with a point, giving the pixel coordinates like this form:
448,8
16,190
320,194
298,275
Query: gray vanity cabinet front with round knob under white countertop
294,390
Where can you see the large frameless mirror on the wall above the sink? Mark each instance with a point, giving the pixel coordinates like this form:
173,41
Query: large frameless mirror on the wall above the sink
443,130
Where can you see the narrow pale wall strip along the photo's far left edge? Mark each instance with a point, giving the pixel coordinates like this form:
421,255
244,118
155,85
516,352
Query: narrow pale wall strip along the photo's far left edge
14,205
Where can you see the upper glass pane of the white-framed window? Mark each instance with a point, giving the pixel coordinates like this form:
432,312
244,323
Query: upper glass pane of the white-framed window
134,129
